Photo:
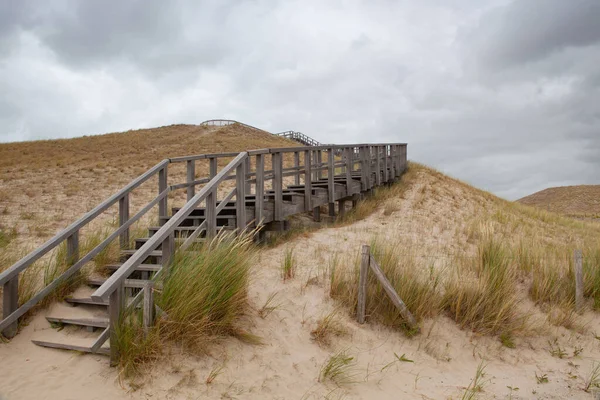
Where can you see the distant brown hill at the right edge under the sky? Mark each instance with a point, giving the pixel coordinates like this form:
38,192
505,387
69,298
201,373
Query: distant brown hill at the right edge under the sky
578,201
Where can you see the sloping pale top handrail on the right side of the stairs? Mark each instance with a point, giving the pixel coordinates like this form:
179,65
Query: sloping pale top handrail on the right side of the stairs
115,280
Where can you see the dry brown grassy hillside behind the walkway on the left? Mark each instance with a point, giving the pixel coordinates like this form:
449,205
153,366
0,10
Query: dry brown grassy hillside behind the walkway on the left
45,185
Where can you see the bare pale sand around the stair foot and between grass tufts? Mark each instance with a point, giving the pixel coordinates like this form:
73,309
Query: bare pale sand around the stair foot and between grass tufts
444,357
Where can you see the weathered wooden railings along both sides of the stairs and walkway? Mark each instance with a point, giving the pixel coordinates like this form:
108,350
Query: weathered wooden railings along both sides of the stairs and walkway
328,174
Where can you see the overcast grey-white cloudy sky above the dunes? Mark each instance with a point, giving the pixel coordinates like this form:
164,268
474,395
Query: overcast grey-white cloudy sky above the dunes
503,94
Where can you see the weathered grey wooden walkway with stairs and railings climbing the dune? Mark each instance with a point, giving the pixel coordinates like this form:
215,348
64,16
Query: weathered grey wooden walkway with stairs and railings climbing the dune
269,185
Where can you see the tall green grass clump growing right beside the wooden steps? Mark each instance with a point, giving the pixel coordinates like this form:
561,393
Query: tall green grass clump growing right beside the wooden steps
202,298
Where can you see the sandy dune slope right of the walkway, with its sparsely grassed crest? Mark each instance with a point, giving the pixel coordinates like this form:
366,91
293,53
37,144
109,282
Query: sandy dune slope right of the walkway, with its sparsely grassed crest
437,224
